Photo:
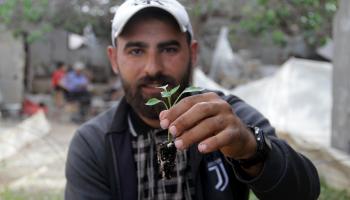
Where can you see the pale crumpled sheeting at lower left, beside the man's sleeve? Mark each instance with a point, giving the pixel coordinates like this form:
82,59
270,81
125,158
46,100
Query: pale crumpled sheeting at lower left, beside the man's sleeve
39,166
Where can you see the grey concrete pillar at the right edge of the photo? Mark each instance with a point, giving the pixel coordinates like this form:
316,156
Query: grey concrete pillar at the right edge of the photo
341,80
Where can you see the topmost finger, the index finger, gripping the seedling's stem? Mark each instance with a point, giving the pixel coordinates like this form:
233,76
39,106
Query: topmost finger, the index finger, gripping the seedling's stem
168,116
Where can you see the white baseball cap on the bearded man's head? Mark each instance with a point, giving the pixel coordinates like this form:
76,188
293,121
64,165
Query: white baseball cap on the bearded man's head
130,7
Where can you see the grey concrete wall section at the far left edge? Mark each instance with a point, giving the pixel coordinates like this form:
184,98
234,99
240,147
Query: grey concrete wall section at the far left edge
11,68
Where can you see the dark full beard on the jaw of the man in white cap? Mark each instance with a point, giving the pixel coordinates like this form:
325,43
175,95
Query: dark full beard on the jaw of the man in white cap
137,100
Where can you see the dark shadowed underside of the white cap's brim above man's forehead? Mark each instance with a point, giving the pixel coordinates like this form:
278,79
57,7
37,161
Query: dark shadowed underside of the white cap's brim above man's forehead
154,13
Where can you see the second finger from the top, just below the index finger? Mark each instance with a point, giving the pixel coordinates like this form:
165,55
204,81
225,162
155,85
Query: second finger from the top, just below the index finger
193,116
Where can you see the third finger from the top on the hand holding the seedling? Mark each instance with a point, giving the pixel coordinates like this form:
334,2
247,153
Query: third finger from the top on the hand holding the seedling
205,129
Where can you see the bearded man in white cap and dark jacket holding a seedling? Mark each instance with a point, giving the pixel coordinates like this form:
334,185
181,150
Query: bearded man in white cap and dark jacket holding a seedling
225,147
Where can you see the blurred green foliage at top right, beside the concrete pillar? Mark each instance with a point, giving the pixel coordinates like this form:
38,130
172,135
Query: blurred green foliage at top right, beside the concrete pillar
279,20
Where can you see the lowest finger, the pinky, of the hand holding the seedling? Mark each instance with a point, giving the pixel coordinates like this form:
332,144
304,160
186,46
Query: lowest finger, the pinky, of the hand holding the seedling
228,137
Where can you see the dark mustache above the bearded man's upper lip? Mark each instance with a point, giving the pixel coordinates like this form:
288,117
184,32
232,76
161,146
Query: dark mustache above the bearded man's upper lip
159,79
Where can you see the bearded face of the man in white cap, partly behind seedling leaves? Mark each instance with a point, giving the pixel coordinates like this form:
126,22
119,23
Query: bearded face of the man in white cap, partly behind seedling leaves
150,54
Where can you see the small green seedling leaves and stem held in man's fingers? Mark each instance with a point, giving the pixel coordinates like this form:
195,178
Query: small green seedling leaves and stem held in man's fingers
167,101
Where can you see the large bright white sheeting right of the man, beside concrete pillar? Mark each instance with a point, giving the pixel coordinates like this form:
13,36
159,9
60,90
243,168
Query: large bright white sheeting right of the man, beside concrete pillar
297,99
